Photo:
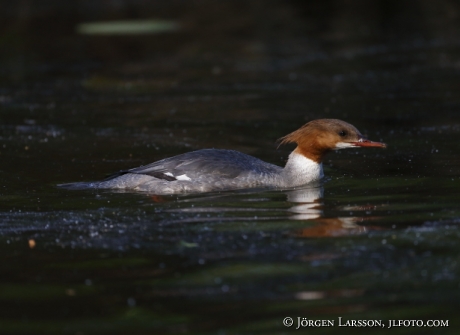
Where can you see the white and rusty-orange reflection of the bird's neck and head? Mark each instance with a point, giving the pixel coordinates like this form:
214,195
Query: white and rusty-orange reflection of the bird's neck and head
308,206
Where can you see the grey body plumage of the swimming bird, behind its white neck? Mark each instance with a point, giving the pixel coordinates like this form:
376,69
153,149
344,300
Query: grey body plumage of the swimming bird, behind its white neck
197,171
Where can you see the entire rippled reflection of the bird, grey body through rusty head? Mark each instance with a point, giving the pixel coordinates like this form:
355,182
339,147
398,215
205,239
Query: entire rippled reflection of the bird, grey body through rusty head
306,205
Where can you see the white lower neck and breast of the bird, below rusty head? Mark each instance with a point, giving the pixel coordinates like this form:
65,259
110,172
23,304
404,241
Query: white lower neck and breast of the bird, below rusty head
300,170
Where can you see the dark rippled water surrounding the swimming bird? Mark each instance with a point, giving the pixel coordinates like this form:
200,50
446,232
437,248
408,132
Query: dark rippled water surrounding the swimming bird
377,240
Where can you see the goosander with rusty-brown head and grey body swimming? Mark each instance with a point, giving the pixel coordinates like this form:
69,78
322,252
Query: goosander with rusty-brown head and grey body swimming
209,170
